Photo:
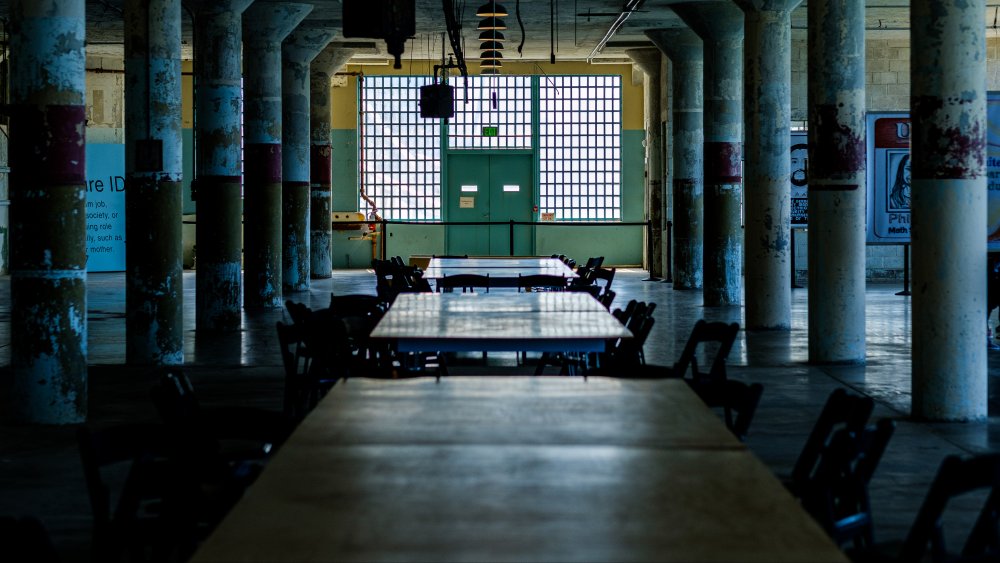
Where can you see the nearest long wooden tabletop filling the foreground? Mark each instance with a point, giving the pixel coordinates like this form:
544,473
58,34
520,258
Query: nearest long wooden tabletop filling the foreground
515,469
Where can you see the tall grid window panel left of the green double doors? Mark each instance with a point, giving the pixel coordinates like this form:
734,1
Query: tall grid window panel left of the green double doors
400,151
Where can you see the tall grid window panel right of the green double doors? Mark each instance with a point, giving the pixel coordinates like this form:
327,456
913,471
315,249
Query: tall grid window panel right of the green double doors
580,147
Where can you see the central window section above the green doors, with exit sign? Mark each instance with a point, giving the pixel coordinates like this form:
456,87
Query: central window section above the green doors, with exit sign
493,112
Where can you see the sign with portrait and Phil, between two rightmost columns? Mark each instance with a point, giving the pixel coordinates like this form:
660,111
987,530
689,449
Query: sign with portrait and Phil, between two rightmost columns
888,177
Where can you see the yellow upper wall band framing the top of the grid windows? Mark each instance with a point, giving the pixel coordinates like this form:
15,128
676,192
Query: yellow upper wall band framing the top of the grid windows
345,107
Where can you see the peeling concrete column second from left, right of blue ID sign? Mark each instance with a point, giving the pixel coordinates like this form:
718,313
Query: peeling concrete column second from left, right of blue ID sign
154,286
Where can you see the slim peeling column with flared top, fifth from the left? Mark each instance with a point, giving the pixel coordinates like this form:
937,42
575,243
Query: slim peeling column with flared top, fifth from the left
297,53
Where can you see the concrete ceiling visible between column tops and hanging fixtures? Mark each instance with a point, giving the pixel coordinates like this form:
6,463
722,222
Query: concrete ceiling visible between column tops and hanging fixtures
581,27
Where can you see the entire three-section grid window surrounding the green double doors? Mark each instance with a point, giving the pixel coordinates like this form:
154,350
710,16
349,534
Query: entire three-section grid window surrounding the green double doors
574,128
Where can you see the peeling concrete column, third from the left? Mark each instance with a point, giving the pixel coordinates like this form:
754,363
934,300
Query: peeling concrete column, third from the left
218,165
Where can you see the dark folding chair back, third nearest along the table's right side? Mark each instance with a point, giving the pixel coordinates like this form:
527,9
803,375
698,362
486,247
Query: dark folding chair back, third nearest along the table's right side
842,410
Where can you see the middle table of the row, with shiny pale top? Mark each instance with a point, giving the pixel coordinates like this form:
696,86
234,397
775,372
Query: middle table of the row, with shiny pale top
539,321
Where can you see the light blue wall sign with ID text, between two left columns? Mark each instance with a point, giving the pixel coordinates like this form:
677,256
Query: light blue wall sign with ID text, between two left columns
105,208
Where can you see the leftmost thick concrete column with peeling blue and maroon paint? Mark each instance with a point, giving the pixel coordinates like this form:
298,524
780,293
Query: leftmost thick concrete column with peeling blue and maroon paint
48,212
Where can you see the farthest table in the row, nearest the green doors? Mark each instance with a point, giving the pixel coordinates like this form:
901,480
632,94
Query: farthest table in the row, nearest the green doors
503,272
